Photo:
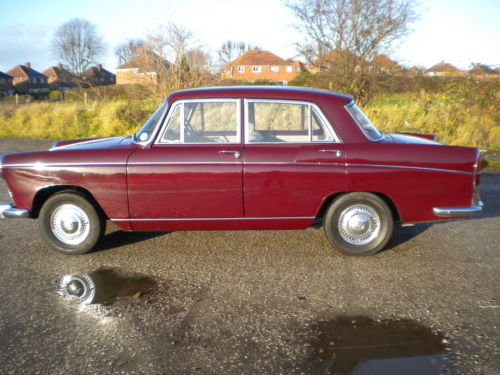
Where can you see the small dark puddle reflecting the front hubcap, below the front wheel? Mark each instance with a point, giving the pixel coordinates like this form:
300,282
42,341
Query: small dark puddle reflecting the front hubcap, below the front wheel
104,286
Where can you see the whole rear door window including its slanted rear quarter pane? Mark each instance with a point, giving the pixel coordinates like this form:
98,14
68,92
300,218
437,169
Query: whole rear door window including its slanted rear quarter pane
288,122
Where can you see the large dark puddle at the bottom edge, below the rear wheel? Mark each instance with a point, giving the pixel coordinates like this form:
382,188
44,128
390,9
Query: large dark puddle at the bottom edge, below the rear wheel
361,345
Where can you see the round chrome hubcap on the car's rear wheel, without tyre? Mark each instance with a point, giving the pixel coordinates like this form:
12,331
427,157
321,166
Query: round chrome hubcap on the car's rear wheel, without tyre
359,224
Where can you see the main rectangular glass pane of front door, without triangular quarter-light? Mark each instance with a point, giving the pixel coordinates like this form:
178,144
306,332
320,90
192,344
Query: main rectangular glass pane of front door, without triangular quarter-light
206,122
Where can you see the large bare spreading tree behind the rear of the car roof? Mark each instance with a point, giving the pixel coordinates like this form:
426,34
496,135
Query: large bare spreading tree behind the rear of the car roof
344,35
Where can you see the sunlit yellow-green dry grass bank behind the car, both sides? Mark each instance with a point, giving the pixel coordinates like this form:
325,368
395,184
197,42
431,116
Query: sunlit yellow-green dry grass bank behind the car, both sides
460,116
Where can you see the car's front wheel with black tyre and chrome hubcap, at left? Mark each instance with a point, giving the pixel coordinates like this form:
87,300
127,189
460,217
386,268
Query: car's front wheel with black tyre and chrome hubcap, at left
70,224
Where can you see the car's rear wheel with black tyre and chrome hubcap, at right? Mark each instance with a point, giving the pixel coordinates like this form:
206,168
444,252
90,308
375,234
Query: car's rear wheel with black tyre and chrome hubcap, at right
358,224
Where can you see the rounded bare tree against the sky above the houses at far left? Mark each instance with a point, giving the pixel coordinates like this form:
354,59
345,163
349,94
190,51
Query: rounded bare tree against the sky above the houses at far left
78,44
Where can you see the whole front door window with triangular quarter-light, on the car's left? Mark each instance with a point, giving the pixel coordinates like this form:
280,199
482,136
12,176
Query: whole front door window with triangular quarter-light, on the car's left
210,121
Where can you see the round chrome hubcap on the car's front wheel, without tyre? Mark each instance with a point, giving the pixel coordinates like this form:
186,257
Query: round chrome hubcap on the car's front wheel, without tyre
70,224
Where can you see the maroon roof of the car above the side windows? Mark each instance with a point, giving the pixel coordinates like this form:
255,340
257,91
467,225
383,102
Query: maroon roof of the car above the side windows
263,92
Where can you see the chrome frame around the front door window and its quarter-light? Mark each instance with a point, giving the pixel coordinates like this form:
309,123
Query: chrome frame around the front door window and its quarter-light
163,129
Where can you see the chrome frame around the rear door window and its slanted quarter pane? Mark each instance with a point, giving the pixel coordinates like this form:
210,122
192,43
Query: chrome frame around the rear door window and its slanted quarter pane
310,105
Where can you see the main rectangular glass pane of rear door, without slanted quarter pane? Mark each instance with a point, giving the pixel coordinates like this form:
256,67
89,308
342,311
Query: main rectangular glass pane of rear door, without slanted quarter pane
277,122
